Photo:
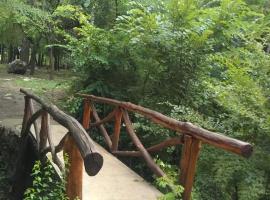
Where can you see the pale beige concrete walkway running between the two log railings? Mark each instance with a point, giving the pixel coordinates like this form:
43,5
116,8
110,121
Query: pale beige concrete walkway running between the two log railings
115,181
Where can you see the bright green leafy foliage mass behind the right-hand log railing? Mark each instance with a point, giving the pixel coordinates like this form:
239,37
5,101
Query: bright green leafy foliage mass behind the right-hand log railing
197,61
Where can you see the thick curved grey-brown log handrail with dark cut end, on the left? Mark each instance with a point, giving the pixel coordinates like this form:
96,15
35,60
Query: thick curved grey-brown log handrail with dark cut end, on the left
93,161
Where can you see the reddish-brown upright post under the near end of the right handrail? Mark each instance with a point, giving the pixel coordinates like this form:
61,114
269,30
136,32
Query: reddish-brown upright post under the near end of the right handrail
188,162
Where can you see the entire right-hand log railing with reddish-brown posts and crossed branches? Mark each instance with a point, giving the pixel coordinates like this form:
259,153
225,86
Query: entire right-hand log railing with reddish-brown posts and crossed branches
189,135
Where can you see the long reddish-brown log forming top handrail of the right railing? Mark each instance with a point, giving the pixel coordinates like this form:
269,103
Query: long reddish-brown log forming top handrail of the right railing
215,139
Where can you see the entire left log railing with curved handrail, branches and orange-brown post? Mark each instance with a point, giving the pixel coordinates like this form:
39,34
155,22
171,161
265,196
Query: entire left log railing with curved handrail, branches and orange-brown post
76,143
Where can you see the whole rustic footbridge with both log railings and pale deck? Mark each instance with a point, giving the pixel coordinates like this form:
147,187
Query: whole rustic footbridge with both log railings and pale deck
73,139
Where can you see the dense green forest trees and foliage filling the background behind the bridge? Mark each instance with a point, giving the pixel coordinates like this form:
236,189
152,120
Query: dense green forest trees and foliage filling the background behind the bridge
203,61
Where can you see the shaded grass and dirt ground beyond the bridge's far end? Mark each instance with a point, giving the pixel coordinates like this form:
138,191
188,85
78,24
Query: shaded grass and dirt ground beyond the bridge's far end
12,102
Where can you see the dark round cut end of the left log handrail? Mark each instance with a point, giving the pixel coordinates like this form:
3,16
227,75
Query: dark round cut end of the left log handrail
93,163
